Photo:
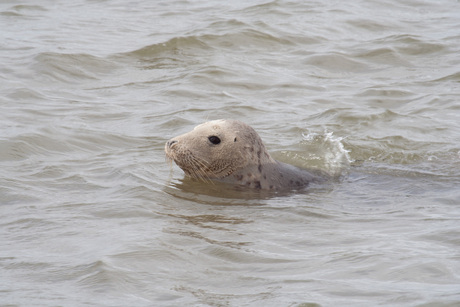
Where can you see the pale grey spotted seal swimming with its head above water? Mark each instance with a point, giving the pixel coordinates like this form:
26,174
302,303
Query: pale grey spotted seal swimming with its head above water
231,151
